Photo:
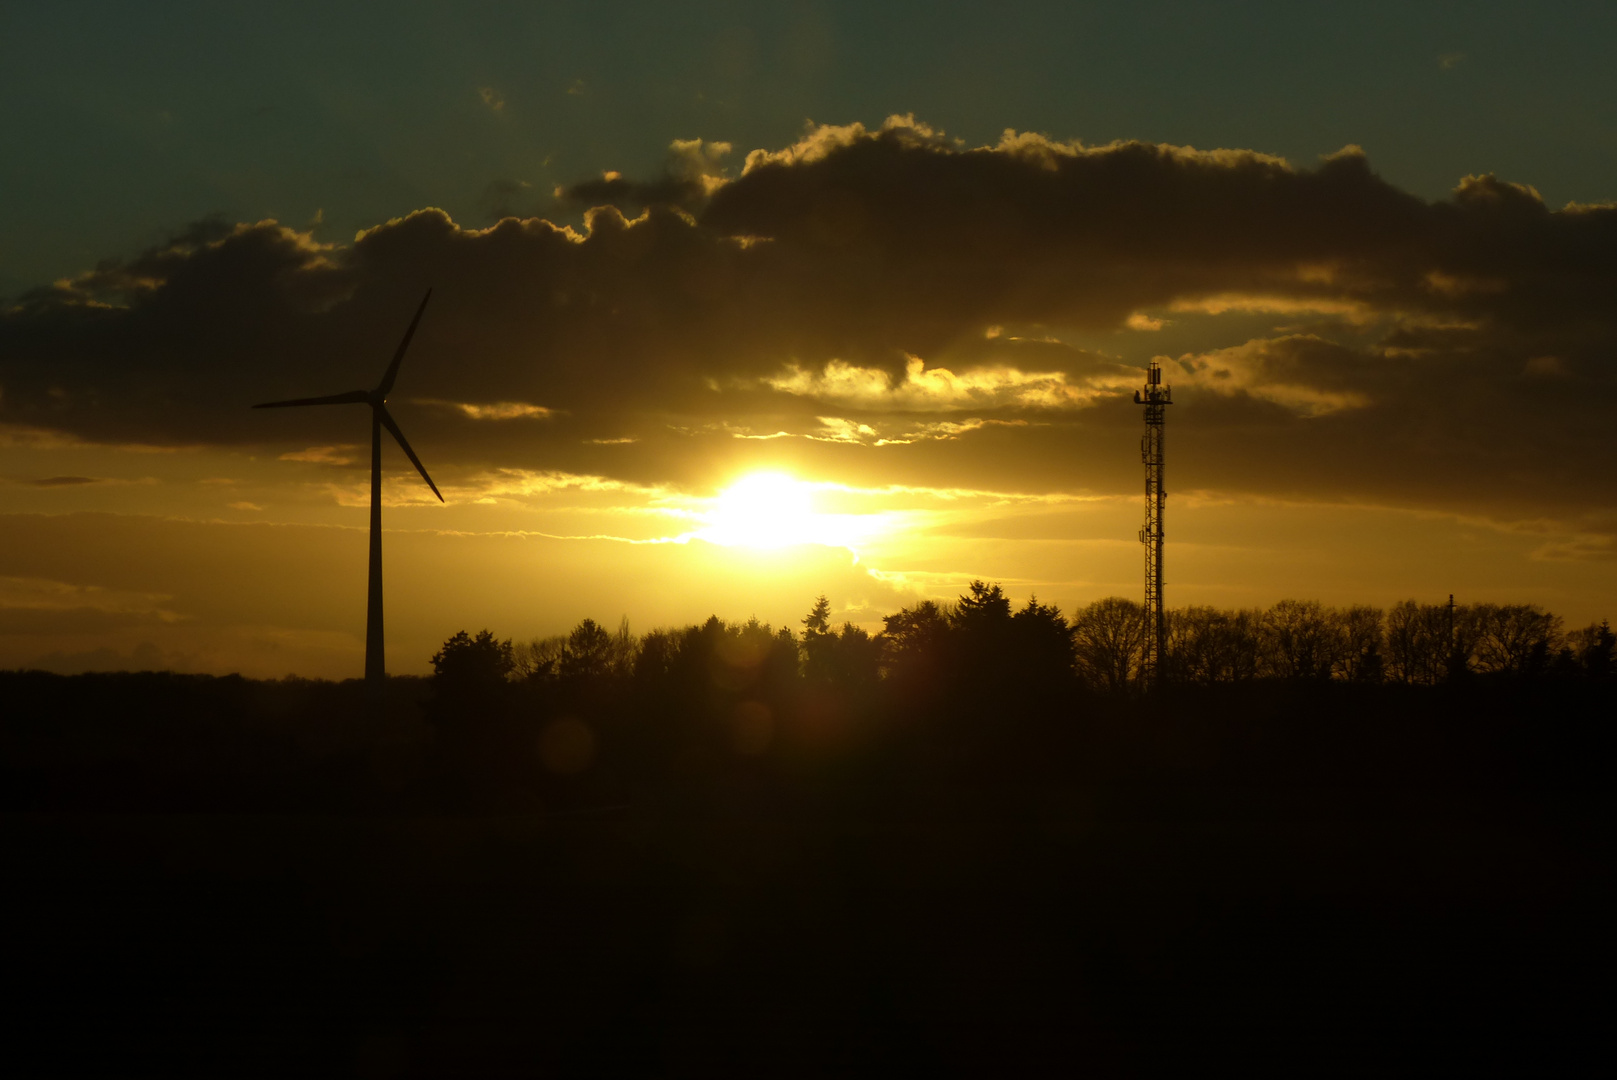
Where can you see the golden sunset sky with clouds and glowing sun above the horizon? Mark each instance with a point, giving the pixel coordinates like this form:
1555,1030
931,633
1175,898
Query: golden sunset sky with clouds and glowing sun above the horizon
741,305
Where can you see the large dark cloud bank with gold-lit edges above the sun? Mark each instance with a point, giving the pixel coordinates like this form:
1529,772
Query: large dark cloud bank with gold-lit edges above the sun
1369,345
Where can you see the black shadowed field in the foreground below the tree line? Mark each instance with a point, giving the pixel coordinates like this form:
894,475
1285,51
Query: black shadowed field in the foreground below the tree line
276,879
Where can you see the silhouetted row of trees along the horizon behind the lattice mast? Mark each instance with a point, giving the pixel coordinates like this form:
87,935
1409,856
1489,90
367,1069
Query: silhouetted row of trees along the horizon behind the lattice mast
986,638
